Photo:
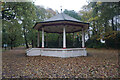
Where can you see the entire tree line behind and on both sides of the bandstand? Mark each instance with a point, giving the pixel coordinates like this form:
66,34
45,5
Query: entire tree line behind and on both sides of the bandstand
18,19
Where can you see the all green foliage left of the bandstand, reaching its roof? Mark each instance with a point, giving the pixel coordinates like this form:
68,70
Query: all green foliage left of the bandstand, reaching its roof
18,21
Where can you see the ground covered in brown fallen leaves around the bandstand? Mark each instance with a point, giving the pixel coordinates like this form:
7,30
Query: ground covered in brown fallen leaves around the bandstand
100,63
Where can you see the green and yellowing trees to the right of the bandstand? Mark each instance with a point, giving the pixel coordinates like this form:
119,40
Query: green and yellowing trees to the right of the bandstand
103,23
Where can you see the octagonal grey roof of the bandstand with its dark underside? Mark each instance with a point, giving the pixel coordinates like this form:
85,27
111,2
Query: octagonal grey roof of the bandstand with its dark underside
56,23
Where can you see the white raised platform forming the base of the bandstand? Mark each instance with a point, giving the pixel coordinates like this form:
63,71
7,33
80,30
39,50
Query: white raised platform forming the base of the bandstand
57,52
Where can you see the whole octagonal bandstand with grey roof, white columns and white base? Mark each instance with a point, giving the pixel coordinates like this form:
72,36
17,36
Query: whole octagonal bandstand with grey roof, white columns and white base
62,24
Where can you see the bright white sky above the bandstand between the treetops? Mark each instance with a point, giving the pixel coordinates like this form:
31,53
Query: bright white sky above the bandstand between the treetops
75,5
